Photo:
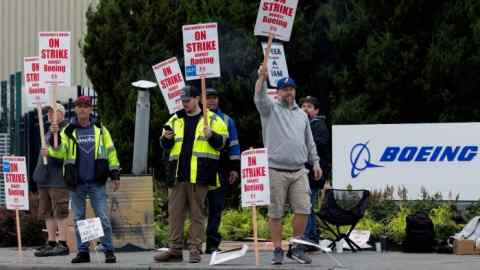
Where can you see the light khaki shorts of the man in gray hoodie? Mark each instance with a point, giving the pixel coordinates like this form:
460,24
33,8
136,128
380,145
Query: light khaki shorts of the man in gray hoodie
291,187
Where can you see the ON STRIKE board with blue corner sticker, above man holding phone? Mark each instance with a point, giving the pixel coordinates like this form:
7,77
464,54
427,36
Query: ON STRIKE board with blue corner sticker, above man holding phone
200,45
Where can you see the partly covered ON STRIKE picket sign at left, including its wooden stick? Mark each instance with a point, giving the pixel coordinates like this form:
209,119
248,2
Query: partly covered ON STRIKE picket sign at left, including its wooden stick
36,92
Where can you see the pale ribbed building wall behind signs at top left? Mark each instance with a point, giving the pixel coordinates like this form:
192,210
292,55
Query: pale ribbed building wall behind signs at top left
20,22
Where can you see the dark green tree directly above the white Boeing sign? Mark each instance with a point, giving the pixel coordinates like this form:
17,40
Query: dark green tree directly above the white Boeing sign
404,61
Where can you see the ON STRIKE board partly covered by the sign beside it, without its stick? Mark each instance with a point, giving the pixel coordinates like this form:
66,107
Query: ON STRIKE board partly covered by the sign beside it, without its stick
37,93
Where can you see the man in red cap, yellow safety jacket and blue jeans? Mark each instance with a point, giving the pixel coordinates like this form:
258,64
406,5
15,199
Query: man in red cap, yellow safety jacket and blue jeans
90,159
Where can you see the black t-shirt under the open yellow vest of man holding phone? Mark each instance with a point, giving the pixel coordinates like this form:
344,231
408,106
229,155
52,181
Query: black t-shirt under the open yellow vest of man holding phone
187,147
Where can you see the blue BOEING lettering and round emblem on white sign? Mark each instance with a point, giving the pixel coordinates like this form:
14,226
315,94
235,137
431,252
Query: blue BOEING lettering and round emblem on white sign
361,156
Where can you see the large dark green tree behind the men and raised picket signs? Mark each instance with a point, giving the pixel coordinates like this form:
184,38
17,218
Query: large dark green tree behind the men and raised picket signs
126,38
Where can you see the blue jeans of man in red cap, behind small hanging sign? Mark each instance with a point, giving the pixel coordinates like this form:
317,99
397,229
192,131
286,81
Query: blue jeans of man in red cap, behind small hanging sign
98,199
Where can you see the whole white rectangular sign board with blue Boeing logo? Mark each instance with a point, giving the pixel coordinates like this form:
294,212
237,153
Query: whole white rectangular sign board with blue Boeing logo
442,158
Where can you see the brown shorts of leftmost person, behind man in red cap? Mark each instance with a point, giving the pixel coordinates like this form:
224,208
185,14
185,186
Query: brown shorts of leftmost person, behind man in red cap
53,202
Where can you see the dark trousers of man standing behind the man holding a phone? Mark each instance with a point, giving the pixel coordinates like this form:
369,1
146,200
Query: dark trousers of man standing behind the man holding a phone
216,204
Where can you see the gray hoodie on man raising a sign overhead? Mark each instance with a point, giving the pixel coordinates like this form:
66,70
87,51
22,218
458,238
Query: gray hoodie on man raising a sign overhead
286,134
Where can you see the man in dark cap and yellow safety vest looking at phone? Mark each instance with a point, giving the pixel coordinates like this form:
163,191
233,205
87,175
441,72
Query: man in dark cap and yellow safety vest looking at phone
193,165
